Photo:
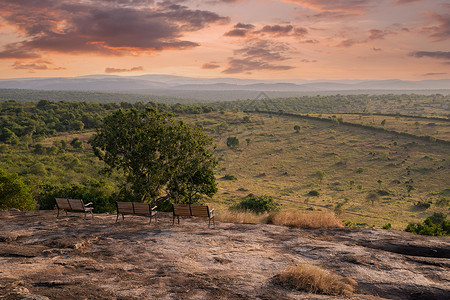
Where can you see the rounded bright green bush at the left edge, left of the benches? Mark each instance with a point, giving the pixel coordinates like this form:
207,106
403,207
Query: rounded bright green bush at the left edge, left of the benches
14,193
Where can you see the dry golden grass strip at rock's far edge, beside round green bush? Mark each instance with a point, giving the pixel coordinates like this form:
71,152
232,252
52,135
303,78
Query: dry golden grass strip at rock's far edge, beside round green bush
302,219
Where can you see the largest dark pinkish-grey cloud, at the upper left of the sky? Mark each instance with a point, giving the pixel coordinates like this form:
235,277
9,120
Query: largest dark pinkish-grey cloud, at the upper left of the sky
103,27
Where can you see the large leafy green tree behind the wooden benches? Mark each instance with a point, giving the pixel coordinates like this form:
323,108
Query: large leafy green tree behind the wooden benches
160,157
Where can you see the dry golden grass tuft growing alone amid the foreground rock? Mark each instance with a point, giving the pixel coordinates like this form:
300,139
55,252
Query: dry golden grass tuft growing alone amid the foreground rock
314,279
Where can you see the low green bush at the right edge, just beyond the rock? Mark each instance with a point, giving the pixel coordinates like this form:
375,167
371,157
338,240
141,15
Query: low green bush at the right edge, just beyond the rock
435,225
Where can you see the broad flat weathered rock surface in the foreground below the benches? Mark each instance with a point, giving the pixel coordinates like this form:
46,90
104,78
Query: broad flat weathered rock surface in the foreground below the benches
44,257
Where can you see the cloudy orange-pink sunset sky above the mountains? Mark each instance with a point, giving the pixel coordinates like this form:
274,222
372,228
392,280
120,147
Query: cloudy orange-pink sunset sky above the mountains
260,39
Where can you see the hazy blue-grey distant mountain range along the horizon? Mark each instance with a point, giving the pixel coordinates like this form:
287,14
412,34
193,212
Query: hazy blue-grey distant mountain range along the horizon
147,83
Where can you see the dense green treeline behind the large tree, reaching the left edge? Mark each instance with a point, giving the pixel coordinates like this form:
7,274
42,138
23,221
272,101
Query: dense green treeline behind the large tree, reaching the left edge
30,120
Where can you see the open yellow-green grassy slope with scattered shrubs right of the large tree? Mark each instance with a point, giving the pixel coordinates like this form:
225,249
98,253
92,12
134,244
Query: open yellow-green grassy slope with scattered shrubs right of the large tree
281,163
